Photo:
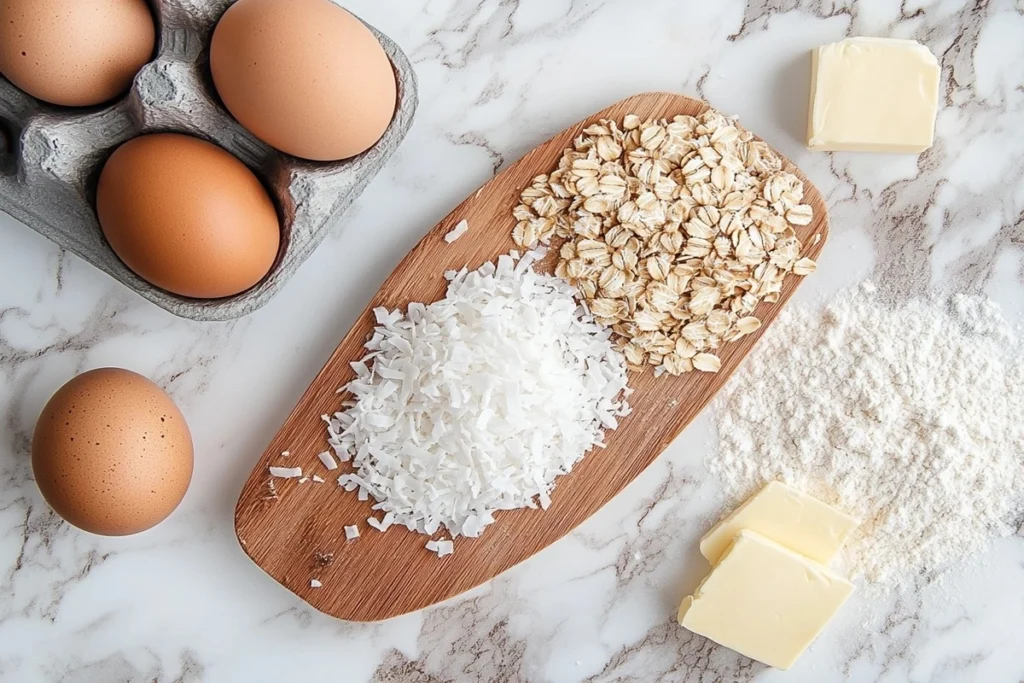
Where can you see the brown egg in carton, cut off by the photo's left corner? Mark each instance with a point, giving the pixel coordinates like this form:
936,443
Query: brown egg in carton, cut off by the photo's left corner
75,54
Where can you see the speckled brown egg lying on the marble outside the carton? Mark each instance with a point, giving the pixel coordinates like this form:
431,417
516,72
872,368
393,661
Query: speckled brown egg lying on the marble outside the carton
112,453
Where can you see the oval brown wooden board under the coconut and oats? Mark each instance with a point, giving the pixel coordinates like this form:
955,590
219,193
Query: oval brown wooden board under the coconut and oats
298,536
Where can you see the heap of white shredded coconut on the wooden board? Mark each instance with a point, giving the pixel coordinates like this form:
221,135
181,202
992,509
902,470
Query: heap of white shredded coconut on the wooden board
479,402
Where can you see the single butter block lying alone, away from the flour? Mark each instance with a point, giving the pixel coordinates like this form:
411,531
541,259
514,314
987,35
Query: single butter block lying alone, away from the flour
873,95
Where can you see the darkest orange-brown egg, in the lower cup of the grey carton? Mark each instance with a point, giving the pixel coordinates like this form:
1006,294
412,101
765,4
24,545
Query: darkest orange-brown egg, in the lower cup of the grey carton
188,217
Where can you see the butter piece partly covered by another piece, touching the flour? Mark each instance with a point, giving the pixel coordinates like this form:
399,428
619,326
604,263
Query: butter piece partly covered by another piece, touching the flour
802,524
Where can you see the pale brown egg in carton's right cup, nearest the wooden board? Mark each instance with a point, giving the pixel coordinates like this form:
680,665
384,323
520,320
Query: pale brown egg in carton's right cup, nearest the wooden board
304,76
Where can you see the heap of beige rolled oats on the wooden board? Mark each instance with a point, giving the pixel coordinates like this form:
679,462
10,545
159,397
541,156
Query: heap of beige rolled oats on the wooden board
674,232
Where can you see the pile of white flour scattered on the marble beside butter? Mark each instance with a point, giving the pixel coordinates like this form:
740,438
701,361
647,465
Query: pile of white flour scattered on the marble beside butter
909,416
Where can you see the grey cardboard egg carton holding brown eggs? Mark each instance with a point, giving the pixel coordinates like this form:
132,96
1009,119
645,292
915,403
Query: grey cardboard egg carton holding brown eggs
51,158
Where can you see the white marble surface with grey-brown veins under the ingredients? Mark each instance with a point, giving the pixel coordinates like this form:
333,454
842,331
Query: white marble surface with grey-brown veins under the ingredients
183,604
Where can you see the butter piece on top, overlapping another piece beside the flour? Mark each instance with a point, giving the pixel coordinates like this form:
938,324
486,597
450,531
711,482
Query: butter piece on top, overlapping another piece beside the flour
764,602
